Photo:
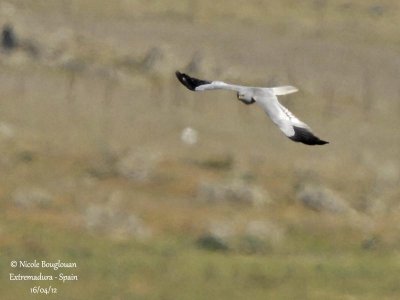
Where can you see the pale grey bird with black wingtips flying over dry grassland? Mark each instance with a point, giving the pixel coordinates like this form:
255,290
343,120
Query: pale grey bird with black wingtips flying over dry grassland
291,126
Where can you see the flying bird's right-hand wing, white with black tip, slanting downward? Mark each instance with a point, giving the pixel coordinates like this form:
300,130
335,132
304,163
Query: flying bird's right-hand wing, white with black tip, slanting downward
288,123
